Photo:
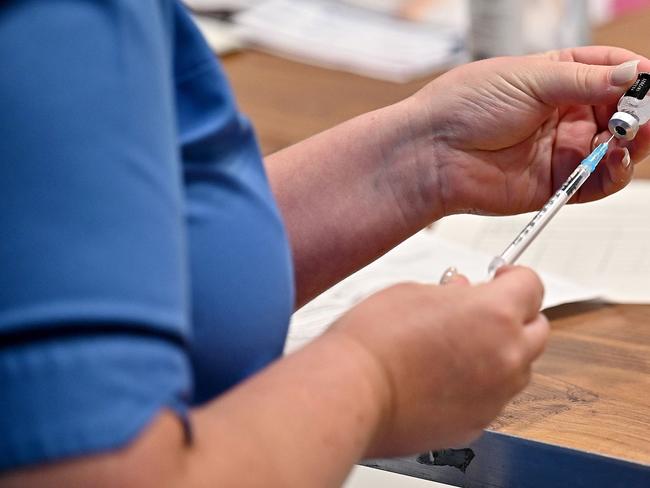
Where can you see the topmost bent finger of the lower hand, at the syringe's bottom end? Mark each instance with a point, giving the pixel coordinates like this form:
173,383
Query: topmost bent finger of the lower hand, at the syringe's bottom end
521,288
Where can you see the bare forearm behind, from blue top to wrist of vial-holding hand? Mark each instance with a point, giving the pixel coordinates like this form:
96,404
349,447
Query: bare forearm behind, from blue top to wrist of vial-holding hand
352,193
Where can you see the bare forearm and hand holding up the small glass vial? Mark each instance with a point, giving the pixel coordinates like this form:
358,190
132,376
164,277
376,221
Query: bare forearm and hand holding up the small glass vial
493,137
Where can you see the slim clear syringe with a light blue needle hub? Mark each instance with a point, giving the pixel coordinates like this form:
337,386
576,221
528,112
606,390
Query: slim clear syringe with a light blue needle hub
544,216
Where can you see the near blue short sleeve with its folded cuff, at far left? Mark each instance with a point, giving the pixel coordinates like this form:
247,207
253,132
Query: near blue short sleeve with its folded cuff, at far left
93,301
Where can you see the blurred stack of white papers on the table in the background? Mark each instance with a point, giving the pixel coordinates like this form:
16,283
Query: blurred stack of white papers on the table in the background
342,36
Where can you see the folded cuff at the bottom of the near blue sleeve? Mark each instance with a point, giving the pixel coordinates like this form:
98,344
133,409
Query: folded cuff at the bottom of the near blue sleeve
81,396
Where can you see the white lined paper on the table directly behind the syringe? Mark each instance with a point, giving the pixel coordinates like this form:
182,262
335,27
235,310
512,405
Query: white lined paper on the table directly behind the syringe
602,245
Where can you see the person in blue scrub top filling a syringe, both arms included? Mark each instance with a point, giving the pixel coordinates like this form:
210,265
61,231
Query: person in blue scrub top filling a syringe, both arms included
150,259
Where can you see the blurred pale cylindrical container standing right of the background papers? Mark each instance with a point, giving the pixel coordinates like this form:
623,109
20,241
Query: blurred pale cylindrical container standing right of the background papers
496,28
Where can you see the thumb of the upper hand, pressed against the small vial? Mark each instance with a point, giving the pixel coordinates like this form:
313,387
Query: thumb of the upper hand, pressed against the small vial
566,83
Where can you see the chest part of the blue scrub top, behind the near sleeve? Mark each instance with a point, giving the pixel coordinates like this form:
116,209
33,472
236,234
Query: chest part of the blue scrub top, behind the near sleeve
242,293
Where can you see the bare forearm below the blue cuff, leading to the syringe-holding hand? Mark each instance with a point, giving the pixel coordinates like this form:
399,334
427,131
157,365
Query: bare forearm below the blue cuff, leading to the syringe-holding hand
302,422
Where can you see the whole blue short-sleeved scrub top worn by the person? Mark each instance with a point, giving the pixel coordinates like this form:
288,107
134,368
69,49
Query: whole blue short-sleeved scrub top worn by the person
143,261
